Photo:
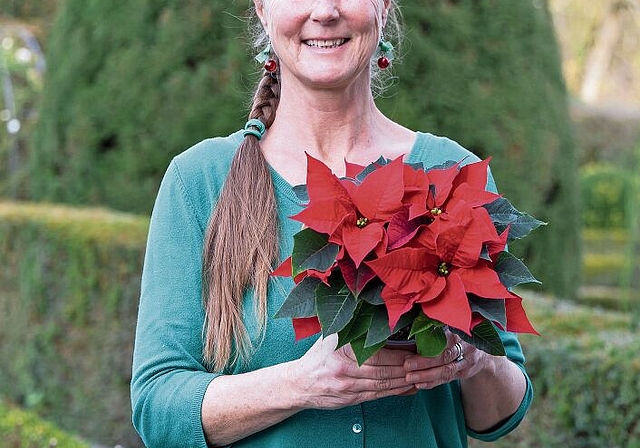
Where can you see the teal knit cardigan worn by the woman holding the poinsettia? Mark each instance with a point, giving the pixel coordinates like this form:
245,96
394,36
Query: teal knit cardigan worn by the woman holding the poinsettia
169,379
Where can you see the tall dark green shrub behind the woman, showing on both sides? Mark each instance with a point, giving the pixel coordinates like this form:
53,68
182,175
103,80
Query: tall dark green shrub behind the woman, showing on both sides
119,105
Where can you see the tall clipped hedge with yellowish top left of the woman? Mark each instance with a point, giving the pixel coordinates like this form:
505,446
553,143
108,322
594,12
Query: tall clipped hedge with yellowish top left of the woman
69,285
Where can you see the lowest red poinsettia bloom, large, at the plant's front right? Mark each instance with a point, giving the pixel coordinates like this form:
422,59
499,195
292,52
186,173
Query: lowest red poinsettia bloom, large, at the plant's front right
441,267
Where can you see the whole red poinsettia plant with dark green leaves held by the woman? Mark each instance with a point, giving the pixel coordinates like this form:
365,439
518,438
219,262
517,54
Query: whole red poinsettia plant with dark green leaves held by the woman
394,248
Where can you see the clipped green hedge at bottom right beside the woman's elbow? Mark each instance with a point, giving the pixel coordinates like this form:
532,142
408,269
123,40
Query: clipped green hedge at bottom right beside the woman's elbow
585,374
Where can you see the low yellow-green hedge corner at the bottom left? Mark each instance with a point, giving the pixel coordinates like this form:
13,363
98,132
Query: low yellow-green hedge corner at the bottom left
21,429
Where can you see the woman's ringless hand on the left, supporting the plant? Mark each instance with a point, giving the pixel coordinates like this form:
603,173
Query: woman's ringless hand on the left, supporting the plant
332,379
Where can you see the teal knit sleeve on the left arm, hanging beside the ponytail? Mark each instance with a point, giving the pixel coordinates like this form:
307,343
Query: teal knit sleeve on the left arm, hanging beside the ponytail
169,380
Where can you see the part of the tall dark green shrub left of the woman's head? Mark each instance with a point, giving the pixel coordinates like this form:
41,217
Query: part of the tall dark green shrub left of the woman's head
119,105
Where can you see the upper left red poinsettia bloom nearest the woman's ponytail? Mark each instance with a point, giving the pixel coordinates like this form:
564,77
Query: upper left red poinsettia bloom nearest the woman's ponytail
352,214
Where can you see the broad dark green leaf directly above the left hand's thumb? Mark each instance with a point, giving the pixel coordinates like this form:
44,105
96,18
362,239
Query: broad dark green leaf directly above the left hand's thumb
335,306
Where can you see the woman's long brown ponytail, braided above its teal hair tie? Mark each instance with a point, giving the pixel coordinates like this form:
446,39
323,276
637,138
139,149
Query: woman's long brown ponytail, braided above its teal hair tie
241,243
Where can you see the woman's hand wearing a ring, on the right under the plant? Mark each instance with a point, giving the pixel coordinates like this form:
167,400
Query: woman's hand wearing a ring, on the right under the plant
458,361
